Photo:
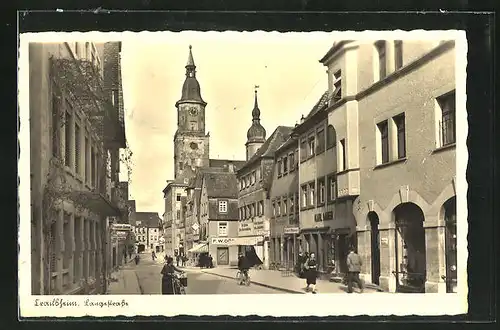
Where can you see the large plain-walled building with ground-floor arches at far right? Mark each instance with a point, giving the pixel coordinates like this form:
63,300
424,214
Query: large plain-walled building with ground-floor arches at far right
406,210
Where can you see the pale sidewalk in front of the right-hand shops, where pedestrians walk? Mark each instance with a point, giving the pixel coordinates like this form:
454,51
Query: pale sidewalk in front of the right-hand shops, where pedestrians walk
292,284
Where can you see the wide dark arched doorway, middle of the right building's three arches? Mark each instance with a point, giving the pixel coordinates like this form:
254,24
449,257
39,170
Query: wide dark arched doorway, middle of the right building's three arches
410,248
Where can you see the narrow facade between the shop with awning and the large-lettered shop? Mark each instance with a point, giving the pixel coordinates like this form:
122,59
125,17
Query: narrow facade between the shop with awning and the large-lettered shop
284,196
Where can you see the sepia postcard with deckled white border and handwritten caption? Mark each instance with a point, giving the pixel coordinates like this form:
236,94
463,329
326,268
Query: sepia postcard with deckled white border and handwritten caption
246,173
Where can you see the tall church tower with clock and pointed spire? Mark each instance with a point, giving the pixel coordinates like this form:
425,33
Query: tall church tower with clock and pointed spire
191,143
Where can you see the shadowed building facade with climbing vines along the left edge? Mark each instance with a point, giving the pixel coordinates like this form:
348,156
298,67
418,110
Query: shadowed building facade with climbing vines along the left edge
73,164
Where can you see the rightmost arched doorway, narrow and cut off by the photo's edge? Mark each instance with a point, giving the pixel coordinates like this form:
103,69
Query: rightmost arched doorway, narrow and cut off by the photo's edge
450,218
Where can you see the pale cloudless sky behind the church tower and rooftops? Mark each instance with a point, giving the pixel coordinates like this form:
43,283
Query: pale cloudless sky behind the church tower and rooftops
285,66
